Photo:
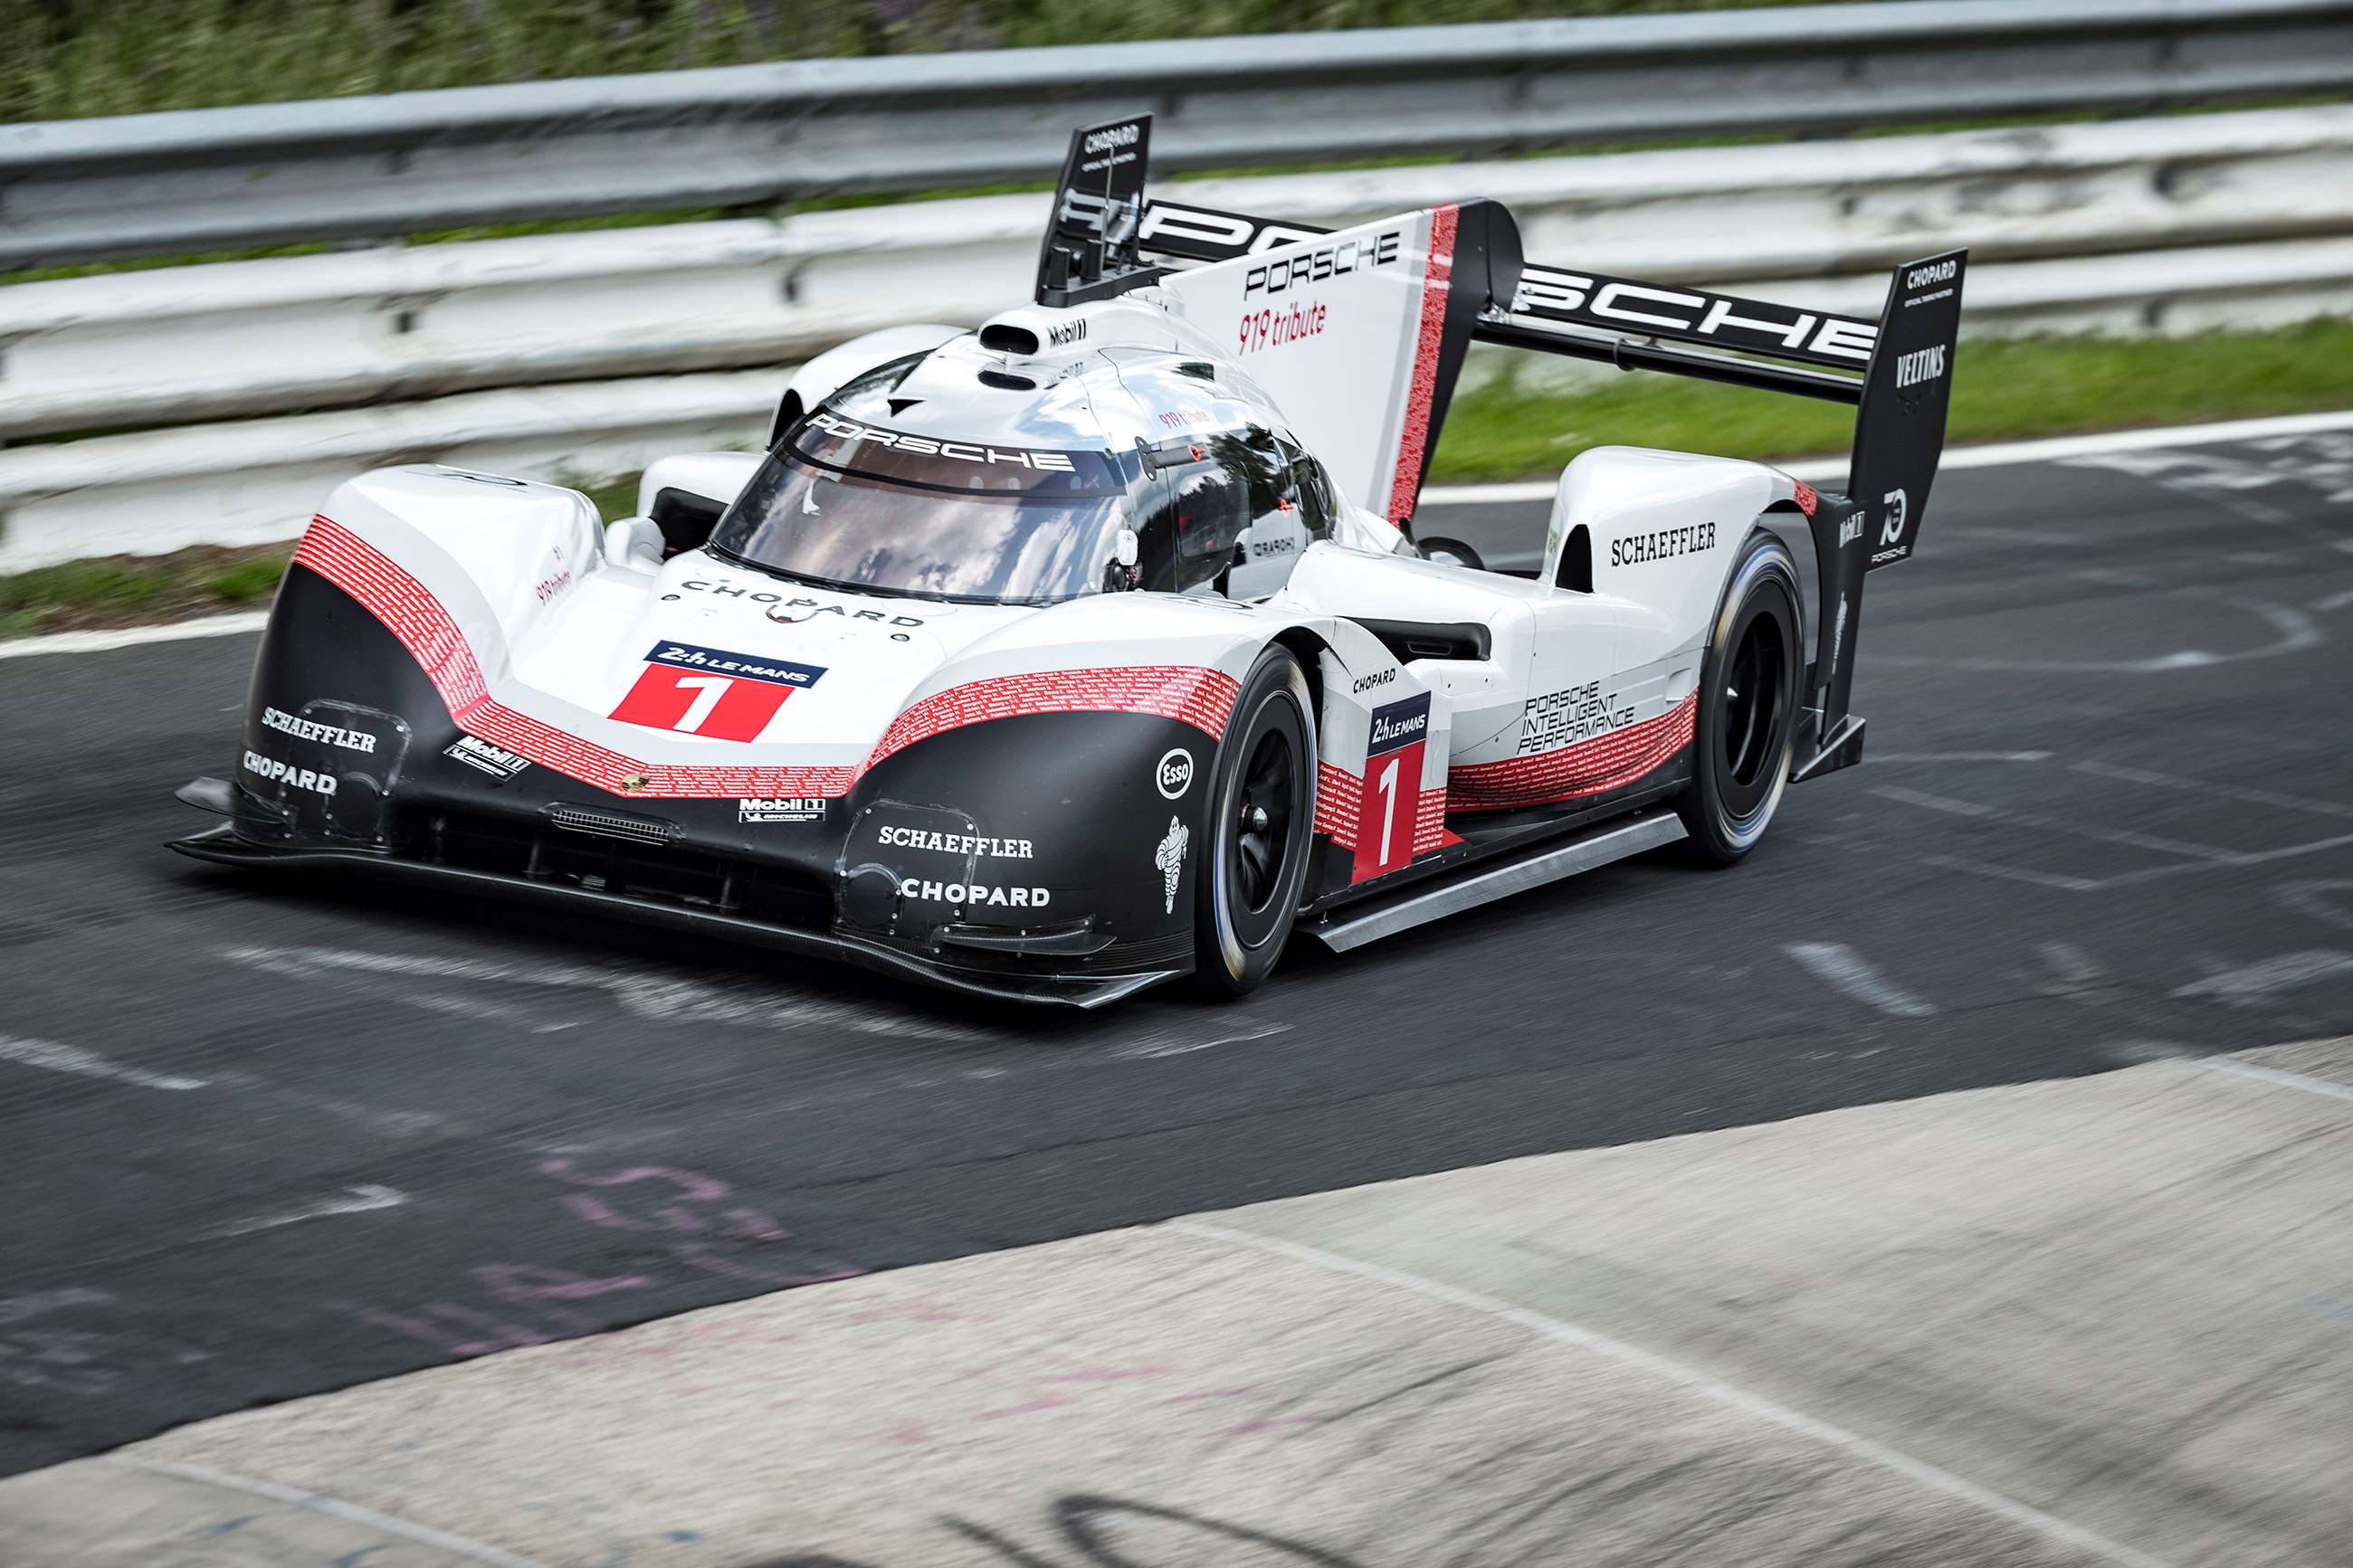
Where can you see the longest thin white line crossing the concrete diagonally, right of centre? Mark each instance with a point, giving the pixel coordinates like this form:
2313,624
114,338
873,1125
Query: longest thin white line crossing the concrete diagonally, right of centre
1700,1383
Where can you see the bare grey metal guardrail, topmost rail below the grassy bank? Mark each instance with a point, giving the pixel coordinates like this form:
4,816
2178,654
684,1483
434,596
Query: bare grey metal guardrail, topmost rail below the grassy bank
752,135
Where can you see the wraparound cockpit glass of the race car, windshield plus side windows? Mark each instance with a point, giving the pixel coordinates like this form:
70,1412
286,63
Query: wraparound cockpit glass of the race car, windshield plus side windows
851,502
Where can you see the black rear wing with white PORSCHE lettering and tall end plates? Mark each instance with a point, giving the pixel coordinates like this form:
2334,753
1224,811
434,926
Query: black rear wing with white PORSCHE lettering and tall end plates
1474,288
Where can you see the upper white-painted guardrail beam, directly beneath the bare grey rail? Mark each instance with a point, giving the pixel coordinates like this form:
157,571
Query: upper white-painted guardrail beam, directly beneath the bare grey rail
1792,222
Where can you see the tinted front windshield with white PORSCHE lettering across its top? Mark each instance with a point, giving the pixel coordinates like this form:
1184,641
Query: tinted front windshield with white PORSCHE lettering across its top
862,507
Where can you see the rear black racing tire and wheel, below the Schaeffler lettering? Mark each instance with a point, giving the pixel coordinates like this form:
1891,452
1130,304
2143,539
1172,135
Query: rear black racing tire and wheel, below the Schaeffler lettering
1749,697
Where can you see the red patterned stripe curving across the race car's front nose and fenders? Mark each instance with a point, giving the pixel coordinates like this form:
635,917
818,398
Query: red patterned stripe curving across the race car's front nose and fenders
425,629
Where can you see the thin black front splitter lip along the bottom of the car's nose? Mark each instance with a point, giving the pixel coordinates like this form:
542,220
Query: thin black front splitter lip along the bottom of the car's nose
1084,991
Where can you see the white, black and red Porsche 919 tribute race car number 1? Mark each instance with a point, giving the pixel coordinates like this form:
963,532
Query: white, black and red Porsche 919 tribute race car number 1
1093,650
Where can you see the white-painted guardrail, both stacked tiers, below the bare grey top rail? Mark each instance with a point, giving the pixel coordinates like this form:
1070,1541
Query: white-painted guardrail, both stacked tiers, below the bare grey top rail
599,351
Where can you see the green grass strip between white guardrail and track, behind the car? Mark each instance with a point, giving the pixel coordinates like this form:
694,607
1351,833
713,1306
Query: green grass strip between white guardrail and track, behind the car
1512,431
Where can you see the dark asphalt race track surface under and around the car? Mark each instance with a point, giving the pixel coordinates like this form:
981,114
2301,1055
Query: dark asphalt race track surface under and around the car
272,1141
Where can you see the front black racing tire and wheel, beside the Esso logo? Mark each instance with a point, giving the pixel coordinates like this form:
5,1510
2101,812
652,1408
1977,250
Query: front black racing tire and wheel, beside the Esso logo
1262,817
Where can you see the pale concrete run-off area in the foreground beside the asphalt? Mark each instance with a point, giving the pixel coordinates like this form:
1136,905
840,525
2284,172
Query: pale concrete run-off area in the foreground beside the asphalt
2105,1320
